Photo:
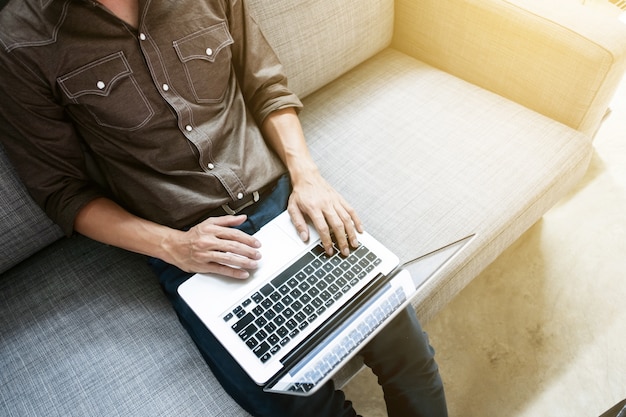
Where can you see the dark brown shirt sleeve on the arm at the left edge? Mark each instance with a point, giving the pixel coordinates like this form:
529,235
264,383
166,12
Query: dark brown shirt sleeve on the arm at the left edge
43,144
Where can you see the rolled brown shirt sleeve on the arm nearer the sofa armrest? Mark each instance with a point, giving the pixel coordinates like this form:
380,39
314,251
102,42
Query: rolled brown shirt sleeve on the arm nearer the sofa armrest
259,71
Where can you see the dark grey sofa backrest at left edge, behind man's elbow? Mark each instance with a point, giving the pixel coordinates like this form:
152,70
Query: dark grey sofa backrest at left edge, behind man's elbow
24,228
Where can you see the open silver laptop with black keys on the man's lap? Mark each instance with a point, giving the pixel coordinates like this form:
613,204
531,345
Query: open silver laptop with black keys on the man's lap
301,315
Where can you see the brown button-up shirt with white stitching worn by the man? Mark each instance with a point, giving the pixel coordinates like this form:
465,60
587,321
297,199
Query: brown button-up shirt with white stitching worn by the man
169,111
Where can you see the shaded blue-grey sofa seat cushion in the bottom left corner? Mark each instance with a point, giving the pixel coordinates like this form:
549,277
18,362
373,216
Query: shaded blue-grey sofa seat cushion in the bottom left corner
87,331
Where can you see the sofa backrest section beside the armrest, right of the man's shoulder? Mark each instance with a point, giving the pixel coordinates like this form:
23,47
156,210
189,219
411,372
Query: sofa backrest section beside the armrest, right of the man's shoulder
319,40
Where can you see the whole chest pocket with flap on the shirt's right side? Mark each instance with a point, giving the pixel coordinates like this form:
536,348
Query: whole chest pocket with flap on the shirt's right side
206,61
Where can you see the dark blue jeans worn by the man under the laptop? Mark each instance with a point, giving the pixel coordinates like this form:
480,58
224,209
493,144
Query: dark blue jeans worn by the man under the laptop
399,355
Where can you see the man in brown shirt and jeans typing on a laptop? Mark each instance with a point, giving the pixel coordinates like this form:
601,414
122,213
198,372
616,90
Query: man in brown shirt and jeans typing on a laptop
185,110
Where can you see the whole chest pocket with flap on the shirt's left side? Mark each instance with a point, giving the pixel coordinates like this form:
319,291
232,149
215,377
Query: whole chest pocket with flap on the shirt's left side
107,89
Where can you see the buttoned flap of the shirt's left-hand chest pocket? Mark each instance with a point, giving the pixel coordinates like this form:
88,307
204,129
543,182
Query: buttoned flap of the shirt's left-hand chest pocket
97,78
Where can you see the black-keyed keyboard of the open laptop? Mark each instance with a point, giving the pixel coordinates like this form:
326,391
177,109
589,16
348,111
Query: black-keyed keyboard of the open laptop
277,312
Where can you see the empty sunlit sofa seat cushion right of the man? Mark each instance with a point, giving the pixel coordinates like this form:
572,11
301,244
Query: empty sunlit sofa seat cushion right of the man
427,159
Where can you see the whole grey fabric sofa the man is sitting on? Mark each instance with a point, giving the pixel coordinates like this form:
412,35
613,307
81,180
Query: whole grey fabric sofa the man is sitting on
436,119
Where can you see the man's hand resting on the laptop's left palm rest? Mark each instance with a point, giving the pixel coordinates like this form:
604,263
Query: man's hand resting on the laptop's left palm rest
213,246
